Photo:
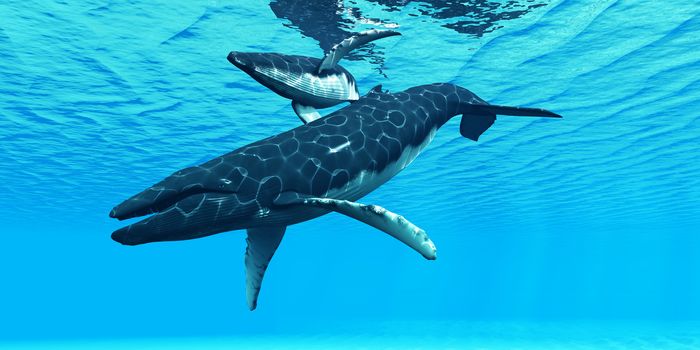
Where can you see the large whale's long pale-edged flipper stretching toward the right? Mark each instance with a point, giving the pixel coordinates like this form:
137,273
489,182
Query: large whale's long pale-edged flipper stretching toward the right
393,224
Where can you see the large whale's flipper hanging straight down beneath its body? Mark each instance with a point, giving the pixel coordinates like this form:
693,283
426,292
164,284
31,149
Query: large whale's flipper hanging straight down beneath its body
262,244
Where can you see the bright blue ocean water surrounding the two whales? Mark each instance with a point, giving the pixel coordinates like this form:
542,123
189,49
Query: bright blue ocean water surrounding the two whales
551,234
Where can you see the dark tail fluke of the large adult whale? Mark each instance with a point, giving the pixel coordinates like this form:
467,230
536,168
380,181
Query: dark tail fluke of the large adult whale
479,118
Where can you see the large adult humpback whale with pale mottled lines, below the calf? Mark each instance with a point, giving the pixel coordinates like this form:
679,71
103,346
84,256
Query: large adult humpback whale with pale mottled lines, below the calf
298,175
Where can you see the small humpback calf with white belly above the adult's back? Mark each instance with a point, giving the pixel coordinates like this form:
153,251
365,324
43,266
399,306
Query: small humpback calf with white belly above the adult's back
309,82
